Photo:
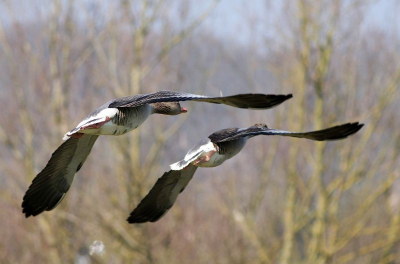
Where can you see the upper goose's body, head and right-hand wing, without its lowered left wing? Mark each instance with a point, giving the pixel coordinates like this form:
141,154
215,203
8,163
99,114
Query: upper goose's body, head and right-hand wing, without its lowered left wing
122,115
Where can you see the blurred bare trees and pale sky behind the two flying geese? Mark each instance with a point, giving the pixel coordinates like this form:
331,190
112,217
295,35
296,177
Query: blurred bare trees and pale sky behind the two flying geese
280,200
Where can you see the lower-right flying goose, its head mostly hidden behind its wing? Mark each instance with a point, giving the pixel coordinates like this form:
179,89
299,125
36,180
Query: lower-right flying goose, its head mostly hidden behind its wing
211,152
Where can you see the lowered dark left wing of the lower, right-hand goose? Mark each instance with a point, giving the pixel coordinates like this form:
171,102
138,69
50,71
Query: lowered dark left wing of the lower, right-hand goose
162,196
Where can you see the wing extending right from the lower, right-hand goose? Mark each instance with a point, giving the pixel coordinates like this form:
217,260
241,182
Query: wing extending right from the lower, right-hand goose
332,133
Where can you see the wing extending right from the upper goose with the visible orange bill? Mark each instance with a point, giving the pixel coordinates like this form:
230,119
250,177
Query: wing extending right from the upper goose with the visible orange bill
252,101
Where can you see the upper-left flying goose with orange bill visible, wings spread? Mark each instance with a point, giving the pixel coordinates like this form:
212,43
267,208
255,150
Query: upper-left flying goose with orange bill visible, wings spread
116,117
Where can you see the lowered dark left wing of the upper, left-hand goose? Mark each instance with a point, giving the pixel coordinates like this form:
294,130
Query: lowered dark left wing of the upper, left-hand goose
49,187
